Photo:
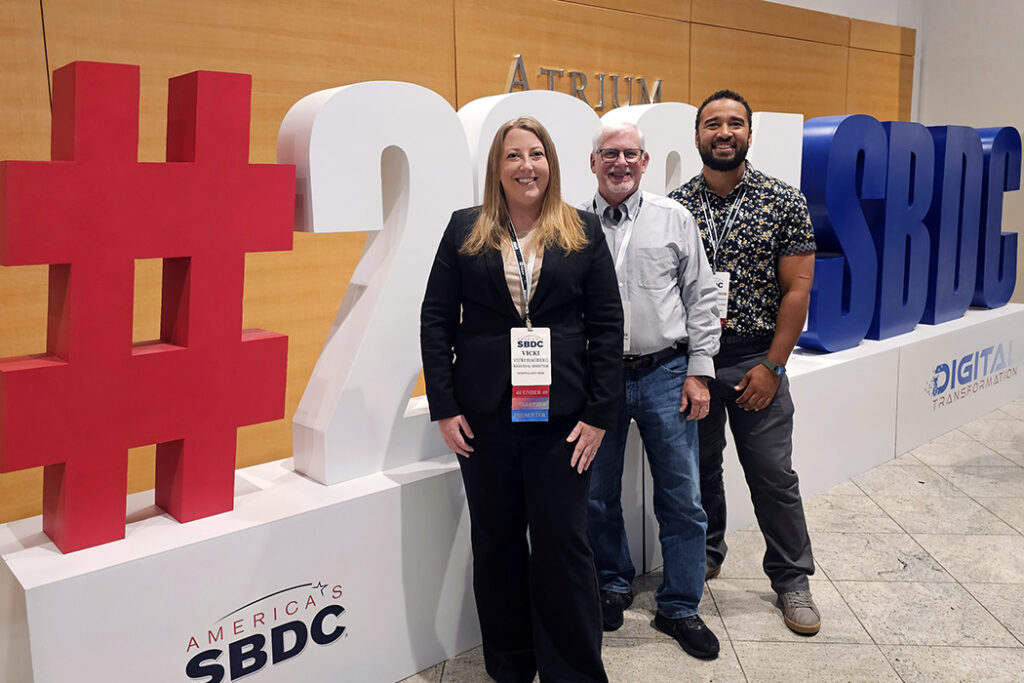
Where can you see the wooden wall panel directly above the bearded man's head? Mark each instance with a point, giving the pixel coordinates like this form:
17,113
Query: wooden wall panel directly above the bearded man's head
775,74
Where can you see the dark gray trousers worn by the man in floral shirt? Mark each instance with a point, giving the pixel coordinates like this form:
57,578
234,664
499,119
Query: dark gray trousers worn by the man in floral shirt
764,444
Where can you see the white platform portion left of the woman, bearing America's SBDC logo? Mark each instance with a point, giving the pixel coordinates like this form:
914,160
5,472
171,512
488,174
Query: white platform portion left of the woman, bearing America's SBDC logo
397,544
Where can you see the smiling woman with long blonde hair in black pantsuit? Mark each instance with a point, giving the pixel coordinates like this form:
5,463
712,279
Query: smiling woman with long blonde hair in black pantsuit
527,267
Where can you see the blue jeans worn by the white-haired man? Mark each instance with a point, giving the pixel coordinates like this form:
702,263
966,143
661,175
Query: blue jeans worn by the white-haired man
652,397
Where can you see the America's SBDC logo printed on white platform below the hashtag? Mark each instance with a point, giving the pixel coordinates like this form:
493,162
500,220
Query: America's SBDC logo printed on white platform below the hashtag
289,619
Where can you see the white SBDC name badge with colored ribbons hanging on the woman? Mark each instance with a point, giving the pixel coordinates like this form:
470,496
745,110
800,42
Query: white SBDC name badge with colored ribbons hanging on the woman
531,374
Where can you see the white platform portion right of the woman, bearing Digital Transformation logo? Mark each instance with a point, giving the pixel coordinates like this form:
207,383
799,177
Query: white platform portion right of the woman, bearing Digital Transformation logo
863,407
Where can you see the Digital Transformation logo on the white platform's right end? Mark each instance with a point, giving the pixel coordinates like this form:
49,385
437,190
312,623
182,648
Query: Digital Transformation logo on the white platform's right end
972,373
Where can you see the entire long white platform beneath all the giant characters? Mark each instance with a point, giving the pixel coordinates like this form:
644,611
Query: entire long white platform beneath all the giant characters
393,549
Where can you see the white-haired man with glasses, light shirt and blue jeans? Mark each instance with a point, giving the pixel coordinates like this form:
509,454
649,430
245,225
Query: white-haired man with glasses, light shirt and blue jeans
671,336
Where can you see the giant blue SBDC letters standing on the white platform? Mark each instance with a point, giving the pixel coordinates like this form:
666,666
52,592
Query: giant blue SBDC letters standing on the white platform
908,221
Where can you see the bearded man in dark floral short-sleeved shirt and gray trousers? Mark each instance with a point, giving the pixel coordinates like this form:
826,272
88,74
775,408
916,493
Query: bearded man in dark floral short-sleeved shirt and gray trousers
760,243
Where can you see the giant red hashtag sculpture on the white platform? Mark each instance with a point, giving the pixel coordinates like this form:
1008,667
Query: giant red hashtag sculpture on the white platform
90,214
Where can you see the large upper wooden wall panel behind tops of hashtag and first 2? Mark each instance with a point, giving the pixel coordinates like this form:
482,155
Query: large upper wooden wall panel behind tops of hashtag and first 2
291,50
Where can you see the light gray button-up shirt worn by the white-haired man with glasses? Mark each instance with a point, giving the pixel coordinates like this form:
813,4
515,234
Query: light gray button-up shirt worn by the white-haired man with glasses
665,277
